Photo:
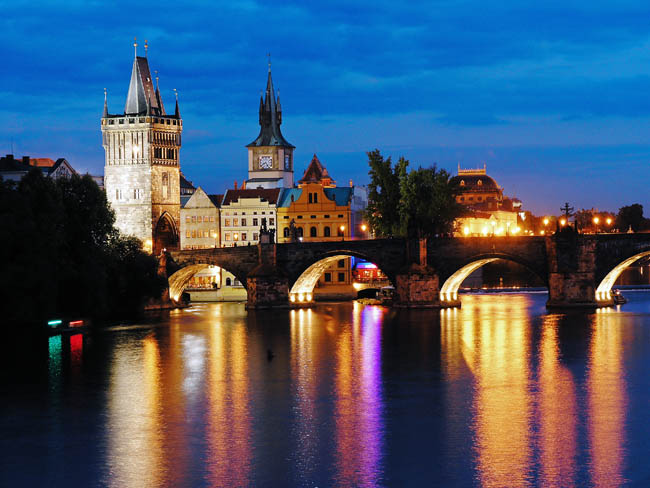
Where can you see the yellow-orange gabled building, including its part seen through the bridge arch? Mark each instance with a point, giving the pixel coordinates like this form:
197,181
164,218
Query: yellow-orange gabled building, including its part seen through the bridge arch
319,211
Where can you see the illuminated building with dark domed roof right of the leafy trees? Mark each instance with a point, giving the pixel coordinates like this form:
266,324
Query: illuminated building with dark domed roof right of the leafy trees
491,214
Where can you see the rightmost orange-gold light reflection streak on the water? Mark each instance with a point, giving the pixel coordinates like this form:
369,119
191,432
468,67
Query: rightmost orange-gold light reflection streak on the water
607,402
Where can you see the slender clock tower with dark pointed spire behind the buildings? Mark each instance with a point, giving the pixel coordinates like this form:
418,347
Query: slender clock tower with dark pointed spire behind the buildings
270,156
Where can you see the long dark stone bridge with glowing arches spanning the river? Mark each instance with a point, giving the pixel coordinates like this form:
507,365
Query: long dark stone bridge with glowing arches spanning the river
579,270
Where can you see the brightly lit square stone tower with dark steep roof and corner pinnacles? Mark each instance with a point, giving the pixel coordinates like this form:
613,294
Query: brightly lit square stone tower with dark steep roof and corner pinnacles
142,168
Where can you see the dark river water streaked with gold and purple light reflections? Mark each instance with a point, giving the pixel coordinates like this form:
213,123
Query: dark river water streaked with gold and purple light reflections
498,393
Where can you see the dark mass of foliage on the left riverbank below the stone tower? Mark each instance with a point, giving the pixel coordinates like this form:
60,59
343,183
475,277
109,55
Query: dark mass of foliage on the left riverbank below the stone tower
63,256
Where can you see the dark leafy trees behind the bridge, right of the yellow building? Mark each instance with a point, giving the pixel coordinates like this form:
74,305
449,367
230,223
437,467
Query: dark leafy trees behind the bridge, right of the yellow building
416,203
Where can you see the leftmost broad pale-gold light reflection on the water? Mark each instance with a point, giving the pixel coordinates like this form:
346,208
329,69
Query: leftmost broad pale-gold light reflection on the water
134,416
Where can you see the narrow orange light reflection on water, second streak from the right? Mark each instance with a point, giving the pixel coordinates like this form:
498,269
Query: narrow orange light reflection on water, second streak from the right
557,411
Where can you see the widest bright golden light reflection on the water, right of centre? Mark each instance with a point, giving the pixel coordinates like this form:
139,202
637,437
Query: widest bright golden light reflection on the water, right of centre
496,348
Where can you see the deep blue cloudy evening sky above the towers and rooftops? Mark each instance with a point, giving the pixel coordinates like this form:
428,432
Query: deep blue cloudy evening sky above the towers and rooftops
553,96
